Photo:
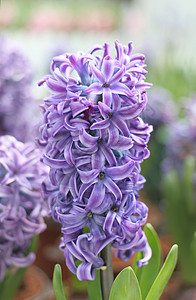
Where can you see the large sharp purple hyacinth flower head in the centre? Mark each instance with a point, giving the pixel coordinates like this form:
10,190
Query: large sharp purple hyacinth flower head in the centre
94,143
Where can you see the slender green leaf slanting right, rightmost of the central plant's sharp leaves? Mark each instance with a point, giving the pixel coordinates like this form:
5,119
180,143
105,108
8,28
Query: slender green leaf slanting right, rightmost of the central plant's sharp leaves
164,275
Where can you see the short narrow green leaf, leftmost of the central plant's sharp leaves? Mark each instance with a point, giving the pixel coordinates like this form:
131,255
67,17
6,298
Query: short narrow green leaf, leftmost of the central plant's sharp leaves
57,283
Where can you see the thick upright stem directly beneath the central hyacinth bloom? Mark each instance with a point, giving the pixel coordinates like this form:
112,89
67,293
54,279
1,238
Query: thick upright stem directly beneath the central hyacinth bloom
107,275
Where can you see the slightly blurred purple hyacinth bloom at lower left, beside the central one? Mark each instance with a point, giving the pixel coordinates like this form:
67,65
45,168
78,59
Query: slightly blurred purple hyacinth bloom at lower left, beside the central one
22,206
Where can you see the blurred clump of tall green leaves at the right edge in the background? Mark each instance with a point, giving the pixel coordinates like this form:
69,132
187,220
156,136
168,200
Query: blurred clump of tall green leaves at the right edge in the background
178,214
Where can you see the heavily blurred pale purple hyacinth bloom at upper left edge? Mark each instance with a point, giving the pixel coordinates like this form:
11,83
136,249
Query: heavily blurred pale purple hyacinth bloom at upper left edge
15,92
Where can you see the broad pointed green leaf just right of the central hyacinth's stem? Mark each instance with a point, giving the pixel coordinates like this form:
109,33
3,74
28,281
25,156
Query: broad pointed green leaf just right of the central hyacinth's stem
126,286
